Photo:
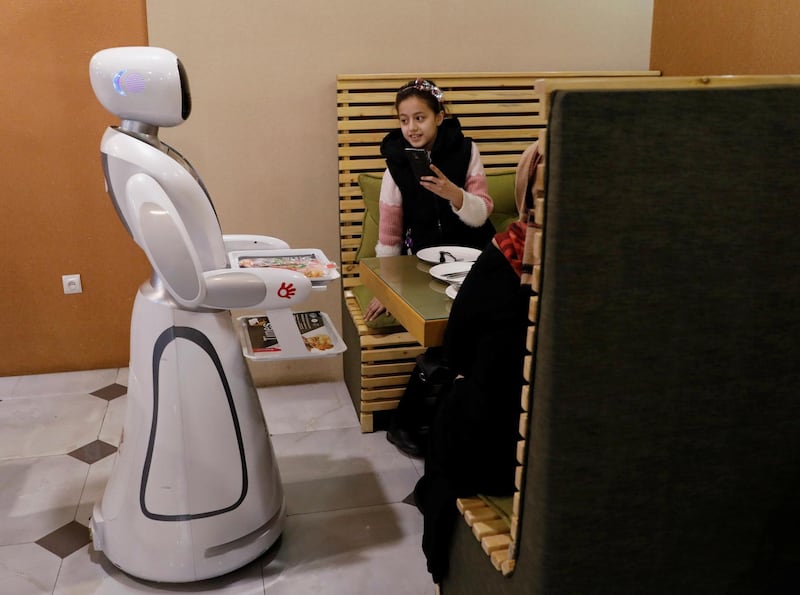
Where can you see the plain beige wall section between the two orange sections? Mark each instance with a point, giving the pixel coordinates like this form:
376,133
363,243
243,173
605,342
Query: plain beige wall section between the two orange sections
263,74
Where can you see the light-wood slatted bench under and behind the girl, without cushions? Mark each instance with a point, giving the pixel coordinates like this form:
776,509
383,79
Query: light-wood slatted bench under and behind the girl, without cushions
500,111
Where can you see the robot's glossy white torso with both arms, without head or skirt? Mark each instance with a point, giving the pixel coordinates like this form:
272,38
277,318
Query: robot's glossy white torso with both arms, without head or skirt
167,211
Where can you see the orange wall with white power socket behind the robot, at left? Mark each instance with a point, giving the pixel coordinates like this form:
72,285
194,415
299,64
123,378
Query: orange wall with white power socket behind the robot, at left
56,217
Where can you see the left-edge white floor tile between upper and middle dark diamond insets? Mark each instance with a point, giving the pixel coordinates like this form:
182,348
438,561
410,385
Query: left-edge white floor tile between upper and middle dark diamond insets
38,426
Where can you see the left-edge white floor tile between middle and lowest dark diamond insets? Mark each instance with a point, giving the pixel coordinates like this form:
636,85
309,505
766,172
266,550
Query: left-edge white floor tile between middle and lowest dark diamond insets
37,496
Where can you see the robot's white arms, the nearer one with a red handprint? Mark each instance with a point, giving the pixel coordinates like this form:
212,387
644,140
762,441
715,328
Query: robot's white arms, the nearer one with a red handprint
160,231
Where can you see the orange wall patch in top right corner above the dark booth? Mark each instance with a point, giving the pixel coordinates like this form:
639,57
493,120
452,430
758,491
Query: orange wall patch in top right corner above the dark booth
691,37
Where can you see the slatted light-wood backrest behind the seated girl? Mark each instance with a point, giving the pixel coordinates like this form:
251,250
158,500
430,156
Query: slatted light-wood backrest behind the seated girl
500,111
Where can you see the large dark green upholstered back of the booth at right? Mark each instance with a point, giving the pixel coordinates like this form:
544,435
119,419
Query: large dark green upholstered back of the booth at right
666,363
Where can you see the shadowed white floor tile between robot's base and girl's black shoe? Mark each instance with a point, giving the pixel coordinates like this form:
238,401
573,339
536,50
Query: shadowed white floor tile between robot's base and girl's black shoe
336,469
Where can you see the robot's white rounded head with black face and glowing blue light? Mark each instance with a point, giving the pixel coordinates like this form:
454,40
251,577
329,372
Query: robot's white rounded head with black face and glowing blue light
143,84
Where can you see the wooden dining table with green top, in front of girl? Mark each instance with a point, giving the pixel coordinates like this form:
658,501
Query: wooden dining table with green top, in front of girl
417,300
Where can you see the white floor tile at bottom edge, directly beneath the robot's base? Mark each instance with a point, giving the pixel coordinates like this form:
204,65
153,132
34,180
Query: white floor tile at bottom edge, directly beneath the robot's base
88,572
